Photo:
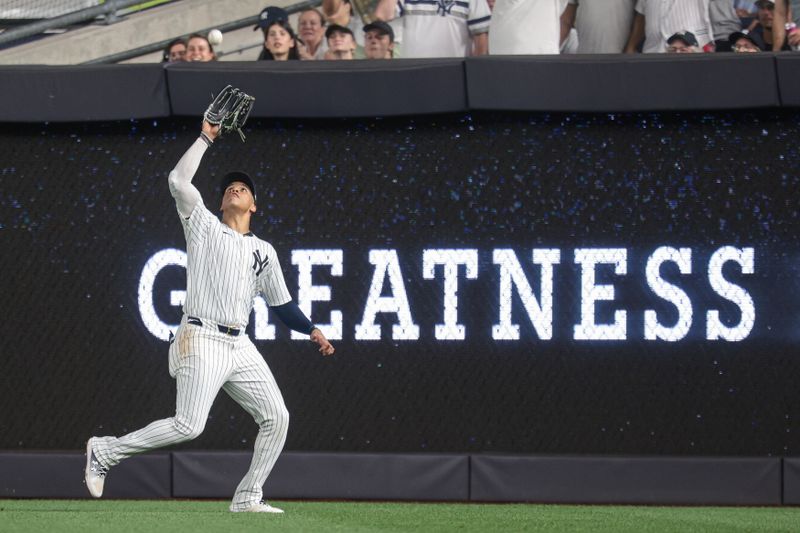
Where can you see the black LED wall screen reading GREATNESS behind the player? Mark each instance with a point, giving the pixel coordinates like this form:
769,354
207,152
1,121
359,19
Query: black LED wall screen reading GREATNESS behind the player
522,283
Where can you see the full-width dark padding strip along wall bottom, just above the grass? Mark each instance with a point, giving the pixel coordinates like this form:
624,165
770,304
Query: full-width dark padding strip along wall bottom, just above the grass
421,477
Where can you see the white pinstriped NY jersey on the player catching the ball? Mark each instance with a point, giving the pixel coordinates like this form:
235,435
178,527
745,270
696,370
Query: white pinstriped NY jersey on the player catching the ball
226,270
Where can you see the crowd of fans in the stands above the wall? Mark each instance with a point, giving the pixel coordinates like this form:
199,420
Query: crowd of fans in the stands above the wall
459,28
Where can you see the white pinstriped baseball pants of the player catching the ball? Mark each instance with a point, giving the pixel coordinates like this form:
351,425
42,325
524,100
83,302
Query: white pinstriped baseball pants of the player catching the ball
202,360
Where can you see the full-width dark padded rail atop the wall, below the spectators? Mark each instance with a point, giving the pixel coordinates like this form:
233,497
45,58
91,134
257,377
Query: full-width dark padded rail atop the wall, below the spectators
614,83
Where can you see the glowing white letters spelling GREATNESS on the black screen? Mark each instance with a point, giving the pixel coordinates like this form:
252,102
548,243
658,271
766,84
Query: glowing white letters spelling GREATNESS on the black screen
512,282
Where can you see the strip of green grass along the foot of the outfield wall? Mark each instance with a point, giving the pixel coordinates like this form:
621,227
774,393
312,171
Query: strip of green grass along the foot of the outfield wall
164,516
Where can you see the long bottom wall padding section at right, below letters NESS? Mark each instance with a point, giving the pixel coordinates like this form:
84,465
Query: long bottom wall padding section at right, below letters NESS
627,480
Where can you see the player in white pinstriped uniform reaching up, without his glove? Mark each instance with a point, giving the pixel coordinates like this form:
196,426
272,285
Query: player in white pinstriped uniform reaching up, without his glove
227,267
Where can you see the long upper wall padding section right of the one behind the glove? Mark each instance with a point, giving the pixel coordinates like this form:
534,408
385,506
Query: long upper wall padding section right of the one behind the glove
614,83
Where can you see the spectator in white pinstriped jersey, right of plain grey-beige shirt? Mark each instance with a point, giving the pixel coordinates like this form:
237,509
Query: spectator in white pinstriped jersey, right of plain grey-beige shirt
656,20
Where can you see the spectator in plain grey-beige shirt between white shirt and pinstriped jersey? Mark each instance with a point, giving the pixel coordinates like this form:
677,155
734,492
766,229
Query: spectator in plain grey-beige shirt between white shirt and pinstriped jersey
603,25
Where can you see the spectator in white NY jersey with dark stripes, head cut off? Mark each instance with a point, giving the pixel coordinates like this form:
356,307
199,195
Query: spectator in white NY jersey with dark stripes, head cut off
440,29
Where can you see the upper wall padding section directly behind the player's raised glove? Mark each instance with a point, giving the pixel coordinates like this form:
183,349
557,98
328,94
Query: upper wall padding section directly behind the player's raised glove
325,89
